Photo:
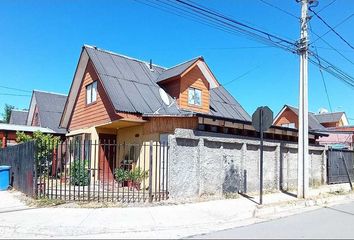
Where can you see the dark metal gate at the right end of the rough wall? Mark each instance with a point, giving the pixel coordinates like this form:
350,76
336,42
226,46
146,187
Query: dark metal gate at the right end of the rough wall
336,172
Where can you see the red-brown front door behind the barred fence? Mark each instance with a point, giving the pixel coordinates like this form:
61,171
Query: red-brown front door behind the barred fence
107,156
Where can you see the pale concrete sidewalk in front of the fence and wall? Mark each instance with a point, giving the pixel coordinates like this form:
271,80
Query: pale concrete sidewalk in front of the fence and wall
170,221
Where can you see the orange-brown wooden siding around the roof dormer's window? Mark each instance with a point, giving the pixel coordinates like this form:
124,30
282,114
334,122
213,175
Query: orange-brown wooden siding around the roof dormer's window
194,78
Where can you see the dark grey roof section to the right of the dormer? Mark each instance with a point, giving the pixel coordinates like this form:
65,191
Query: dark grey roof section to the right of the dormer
223,104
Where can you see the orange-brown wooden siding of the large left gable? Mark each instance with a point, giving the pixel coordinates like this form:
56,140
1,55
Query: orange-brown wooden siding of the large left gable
99,112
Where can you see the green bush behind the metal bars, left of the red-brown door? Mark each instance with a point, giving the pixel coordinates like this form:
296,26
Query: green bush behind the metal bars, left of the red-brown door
79,174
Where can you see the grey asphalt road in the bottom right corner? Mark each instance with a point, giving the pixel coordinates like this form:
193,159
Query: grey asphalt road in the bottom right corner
329,222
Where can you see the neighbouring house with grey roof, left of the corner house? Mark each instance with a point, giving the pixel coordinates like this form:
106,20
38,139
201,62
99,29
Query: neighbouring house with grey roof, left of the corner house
45,111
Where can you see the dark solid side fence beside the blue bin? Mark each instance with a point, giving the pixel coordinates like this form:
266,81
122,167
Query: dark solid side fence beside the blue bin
21,158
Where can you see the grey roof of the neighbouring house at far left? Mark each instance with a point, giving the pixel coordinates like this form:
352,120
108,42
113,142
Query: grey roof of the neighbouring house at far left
50,108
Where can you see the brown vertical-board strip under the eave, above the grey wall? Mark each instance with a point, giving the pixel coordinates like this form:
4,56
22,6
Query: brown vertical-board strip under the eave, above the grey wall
169,124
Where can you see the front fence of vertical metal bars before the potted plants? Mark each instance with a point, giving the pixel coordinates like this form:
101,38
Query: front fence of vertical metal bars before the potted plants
102,171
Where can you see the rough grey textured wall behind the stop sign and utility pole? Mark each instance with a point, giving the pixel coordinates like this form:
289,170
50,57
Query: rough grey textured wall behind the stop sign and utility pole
204,163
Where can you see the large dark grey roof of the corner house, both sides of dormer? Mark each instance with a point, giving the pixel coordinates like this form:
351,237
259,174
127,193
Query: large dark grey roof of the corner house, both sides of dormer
132,87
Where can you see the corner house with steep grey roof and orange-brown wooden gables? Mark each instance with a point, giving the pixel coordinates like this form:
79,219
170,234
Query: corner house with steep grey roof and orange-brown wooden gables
116,99
